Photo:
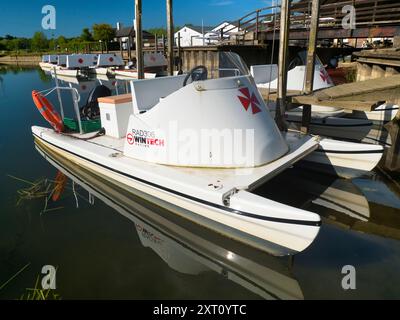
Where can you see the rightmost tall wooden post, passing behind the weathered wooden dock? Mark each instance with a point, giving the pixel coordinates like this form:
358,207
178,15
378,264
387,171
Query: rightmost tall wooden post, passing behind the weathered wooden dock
310,69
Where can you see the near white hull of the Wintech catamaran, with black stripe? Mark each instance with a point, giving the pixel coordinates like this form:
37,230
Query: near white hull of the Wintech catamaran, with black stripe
256,221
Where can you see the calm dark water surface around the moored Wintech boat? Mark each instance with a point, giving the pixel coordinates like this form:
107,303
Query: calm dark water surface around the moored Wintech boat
106,244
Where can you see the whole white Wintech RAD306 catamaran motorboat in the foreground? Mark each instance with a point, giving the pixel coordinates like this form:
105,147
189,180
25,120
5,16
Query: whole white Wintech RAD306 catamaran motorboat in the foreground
200,148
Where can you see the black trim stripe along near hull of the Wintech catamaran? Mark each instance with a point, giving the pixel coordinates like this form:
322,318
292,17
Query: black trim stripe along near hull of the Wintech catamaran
204,202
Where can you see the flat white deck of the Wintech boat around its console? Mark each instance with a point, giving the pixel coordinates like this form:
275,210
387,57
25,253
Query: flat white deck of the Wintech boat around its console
219,179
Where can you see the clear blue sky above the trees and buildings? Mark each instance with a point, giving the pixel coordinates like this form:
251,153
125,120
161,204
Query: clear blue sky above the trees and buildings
23,18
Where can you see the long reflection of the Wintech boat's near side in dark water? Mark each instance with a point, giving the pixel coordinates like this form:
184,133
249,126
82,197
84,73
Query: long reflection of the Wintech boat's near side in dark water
184,246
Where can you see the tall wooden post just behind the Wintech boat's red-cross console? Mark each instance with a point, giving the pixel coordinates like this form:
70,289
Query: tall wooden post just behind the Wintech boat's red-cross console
282,66
